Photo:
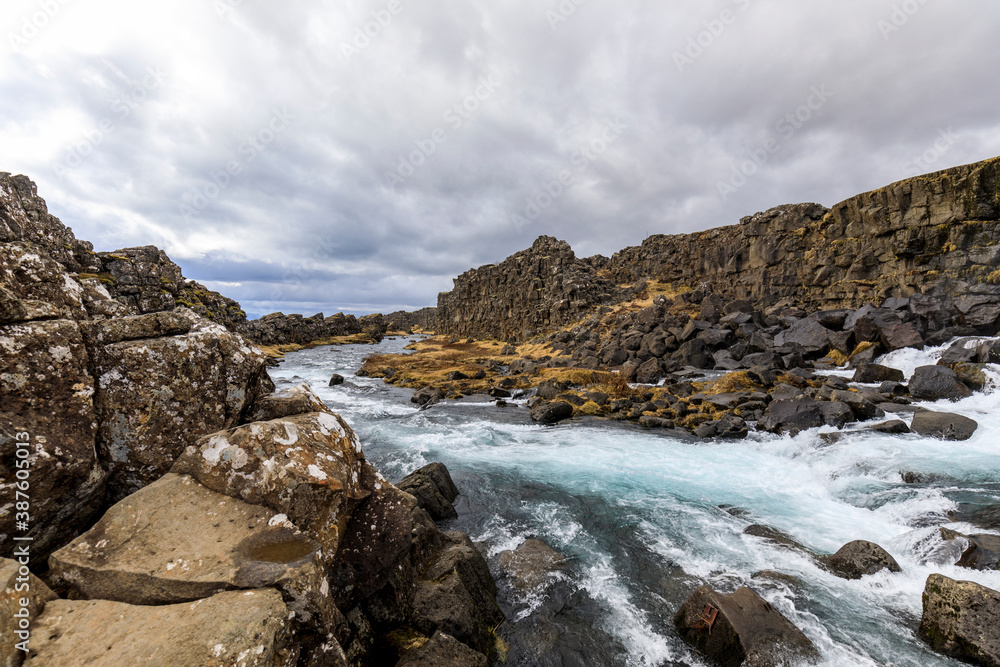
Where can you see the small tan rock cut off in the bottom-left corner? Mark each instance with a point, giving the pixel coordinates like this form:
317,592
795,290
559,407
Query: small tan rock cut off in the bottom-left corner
23,596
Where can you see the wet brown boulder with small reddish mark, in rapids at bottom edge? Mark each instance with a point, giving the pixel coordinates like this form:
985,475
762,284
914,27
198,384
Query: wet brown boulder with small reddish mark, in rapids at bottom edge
739,628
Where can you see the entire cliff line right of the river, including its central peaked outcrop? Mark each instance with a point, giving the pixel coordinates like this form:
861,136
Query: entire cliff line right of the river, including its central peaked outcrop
937,235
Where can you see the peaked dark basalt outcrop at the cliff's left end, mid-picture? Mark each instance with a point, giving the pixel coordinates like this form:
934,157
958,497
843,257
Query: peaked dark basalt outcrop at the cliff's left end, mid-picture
544,286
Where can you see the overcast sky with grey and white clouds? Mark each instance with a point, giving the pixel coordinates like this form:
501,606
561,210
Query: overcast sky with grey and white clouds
357,155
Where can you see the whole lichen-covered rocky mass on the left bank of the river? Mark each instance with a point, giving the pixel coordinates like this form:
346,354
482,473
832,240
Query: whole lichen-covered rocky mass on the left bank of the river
188,512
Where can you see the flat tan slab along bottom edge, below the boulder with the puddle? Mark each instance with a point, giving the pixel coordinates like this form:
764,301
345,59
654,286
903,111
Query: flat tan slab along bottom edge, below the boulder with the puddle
247,628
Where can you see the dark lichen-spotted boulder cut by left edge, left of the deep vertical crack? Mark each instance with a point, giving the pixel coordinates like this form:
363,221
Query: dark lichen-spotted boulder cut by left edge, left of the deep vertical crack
47,434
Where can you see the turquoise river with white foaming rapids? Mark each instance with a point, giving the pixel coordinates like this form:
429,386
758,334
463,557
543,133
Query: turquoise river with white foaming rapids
646,517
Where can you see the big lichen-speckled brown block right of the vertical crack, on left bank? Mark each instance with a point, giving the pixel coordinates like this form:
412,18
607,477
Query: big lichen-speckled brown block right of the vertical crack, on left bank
157,396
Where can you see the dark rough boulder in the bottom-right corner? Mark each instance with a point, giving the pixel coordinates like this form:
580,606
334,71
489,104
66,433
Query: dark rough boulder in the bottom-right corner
961,619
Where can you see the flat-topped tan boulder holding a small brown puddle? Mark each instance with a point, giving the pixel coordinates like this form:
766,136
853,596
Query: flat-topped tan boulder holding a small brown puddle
176,541
